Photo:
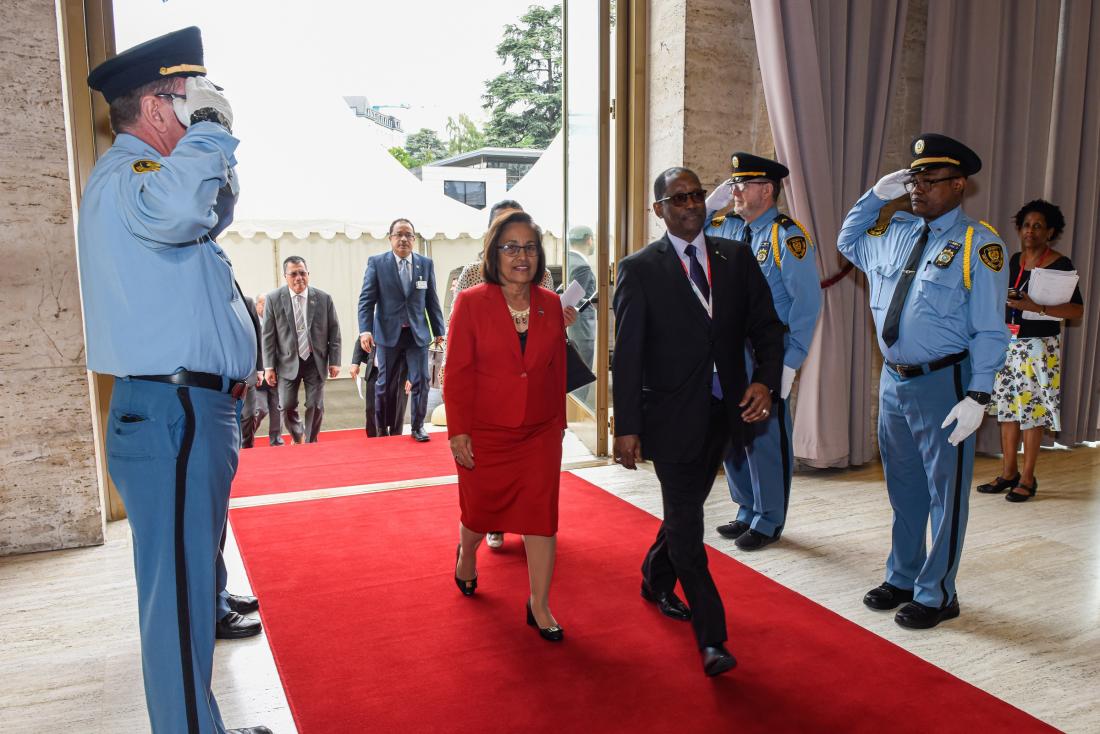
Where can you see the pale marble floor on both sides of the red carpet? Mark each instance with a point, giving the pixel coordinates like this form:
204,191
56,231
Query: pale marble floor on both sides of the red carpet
1029,586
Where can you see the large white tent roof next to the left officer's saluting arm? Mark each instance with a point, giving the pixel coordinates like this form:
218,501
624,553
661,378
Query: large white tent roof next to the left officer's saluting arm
323,170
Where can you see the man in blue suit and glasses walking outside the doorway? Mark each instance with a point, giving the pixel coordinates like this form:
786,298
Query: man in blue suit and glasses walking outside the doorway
397,308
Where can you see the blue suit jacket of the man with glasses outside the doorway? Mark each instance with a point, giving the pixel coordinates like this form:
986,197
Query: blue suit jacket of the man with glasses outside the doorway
384,305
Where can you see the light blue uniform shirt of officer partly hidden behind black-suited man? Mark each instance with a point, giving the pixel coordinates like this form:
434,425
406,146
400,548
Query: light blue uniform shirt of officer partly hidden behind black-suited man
796,289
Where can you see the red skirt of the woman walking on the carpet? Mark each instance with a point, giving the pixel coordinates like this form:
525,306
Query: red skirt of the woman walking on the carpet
513,487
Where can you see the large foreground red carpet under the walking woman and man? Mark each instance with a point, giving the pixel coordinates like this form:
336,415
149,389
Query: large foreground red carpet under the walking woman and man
370,634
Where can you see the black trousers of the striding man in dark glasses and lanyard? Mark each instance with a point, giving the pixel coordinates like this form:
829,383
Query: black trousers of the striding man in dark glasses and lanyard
679,552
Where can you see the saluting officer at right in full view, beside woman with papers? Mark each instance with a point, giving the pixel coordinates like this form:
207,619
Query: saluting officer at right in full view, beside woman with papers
938,283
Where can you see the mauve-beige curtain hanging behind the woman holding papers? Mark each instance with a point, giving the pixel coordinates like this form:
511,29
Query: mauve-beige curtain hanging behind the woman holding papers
1018,82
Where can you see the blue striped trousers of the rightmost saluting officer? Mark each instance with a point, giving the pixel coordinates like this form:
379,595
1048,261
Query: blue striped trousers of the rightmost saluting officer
927,479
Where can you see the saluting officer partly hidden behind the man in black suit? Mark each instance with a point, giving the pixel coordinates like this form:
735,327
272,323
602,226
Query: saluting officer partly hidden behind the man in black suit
760,475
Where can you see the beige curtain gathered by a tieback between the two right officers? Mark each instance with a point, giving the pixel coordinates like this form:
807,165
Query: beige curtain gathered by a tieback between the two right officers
829,72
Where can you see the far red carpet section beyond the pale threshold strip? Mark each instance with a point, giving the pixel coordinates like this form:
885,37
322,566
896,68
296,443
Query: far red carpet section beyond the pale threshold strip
340,459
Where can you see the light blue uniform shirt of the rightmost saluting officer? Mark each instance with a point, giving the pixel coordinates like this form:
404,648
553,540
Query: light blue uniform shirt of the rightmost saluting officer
948,310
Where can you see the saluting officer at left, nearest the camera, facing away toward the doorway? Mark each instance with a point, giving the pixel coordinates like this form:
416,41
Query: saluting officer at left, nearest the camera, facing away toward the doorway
152,207
